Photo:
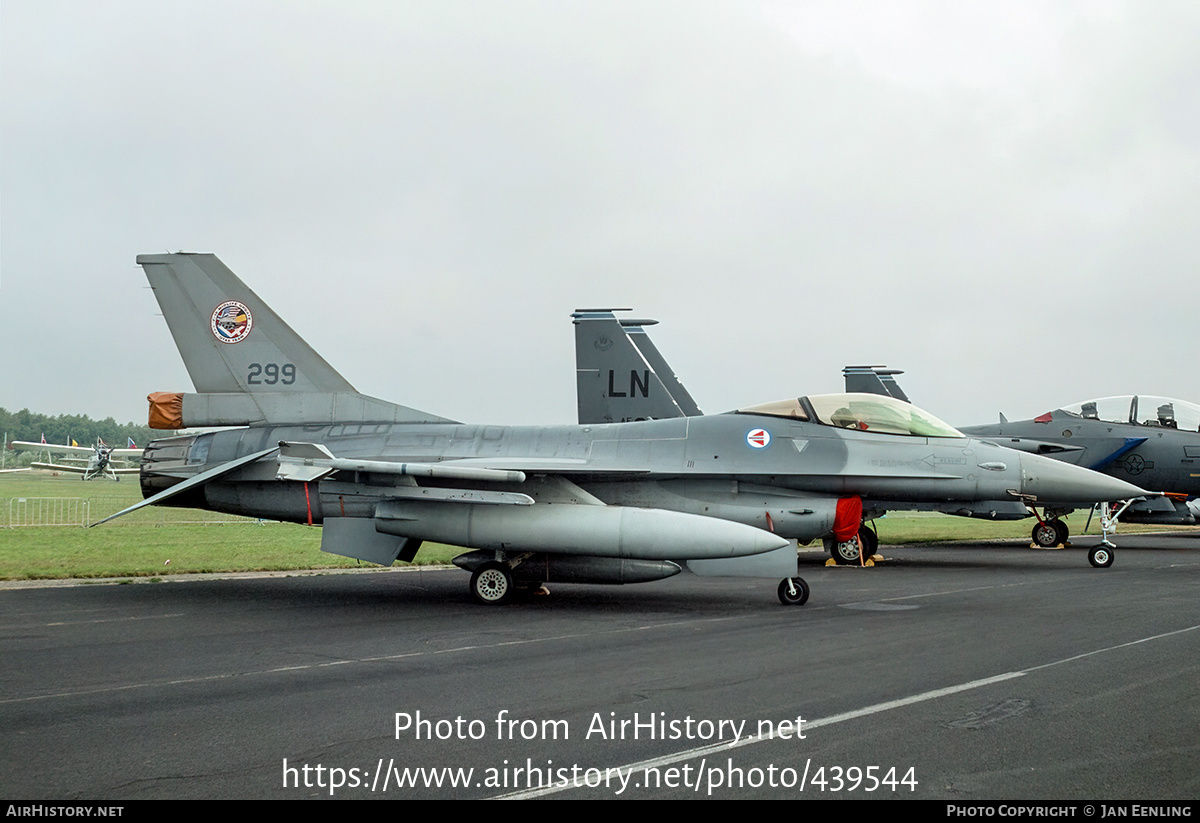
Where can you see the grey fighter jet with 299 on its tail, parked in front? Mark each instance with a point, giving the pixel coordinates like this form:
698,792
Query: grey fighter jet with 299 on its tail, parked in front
615,503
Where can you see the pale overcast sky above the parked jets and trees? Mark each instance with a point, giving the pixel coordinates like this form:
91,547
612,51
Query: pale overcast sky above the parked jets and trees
1001,199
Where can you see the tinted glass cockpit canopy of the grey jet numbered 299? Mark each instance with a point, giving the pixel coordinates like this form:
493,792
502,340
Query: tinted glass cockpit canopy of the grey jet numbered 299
868,413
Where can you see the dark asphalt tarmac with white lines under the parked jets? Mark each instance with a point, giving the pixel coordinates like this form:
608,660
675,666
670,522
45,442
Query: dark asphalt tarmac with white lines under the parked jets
982,672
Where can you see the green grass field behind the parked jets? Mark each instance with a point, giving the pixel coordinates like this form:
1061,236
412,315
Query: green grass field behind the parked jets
178,542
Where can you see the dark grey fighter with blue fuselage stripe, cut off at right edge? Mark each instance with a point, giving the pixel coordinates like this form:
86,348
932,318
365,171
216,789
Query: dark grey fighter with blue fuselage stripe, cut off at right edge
1143,438
